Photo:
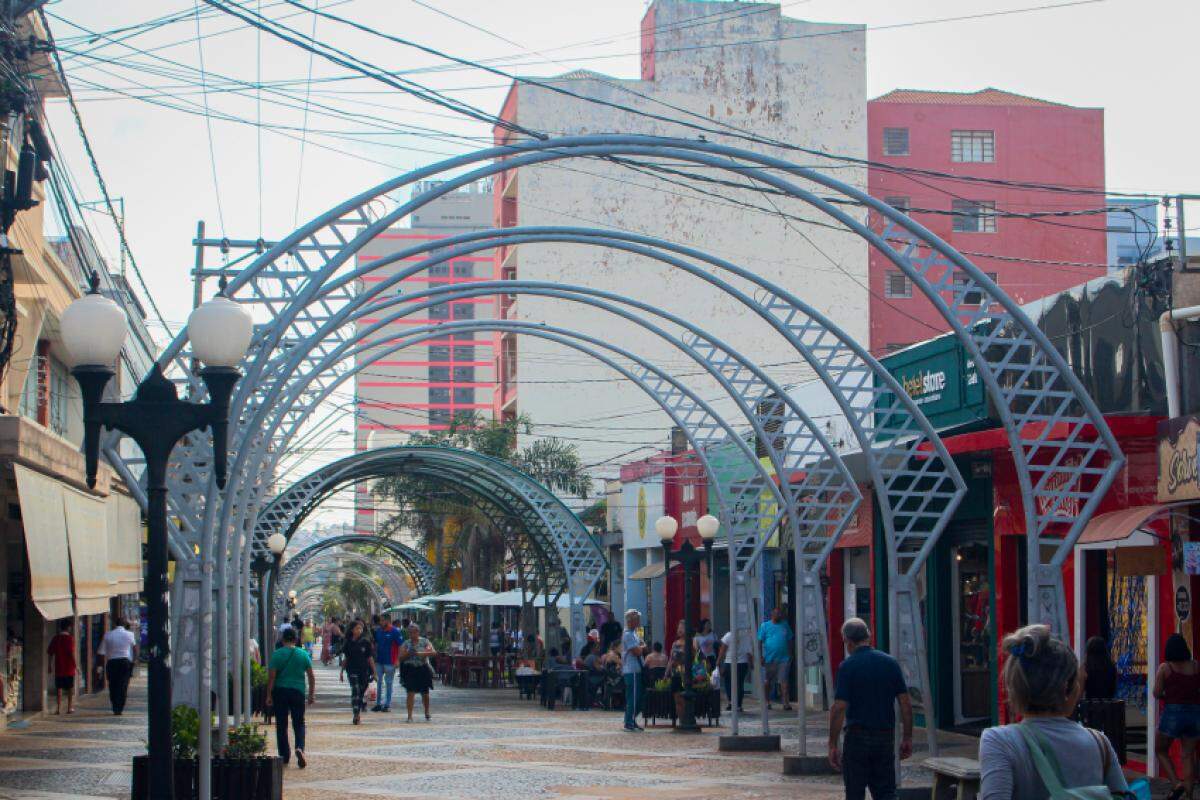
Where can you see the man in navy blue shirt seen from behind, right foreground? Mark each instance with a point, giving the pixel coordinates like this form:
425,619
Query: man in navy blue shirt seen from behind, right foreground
869,685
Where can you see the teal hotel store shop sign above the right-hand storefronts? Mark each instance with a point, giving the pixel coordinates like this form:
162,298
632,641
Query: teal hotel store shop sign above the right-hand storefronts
943,380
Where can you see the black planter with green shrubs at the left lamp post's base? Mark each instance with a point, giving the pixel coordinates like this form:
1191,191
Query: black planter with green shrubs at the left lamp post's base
241,773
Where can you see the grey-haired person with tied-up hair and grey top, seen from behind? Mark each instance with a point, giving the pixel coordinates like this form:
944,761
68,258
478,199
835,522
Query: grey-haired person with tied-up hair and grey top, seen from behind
1048,751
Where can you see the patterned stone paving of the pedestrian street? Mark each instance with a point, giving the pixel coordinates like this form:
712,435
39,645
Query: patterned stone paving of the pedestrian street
483,744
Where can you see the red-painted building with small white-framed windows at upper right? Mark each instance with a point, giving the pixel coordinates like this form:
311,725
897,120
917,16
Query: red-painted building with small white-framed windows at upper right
1034,242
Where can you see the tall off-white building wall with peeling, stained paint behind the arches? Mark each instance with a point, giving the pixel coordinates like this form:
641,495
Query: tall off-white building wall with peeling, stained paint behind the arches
728,67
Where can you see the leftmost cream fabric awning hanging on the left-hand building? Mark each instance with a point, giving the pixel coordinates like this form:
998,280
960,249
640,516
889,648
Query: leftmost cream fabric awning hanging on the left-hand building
46,543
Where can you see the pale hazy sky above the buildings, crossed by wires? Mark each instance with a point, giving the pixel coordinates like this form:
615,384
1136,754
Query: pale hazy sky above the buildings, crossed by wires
1129,58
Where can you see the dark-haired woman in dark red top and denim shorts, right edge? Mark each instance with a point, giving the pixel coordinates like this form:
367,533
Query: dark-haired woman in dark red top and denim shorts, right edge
1178,684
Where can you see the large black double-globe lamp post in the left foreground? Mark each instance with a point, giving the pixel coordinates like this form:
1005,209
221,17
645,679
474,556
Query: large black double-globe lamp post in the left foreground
94,334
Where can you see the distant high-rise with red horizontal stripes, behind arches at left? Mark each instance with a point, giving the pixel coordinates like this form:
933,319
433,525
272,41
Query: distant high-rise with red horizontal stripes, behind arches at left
423,388
